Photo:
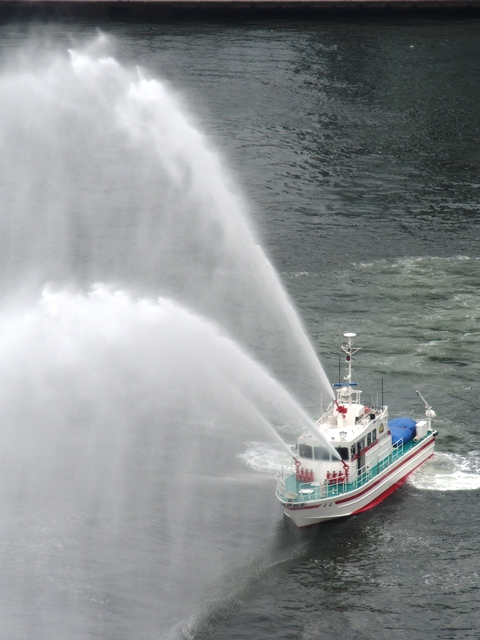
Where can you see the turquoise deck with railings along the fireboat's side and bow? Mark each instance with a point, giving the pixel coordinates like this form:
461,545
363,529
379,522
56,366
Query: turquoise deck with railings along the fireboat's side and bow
290,491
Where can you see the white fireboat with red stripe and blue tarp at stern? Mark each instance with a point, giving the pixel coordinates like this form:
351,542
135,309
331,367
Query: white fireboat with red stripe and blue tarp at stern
355,457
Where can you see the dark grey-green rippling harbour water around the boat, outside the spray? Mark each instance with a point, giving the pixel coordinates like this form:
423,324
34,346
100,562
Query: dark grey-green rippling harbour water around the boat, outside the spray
357,145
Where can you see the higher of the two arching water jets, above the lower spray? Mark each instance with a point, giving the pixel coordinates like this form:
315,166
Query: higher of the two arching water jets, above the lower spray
102,164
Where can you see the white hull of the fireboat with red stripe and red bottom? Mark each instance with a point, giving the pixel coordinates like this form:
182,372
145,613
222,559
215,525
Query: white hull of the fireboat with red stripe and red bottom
365,497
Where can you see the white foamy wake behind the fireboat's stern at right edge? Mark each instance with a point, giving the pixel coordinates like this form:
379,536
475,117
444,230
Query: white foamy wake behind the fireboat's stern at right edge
449,472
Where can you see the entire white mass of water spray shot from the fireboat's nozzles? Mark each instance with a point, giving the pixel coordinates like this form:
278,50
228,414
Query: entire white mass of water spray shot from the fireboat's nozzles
124,405
